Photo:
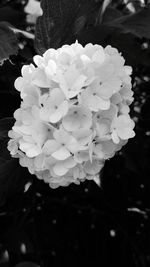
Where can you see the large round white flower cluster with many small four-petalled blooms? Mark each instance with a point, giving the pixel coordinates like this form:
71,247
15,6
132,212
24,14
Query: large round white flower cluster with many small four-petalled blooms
74,113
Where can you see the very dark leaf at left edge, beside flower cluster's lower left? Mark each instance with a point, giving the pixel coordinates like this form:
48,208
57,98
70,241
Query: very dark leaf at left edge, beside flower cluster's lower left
12,176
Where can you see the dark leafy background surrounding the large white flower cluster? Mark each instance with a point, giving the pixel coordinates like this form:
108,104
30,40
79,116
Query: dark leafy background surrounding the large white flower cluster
111,224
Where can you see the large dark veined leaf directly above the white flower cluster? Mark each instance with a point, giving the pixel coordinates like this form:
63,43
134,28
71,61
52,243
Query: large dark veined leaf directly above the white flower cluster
62,19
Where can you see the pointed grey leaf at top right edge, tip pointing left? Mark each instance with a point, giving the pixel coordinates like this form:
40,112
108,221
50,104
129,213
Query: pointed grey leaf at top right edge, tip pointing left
137,23
